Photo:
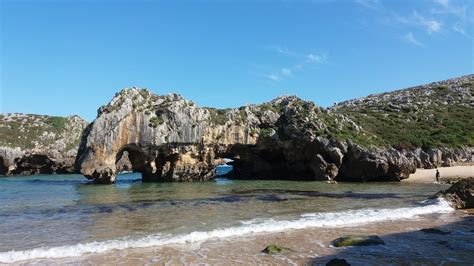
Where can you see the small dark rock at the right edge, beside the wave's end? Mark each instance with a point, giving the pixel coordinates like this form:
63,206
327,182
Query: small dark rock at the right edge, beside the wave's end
460,195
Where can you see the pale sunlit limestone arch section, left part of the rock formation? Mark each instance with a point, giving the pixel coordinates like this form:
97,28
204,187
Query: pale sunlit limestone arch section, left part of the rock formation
167,138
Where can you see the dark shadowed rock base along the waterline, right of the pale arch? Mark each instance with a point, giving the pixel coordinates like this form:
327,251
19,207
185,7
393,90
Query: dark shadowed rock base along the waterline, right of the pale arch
320,159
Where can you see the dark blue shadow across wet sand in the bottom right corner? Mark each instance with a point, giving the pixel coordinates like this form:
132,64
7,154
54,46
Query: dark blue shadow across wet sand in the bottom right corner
451,244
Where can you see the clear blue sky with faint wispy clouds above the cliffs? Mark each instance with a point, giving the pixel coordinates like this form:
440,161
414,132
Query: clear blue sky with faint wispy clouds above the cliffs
70,57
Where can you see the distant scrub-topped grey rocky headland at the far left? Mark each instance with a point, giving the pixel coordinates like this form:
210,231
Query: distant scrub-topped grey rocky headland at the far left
33,144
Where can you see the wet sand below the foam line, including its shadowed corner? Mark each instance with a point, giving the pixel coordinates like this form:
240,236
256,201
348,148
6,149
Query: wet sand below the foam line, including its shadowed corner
404,243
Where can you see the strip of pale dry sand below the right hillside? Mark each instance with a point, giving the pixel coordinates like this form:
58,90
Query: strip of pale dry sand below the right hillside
429,175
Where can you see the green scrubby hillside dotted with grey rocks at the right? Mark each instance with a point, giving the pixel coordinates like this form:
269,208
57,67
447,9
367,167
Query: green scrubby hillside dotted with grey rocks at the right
427,116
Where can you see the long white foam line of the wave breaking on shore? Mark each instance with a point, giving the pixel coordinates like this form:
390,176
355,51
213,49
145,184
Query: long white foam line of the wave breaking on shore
324,219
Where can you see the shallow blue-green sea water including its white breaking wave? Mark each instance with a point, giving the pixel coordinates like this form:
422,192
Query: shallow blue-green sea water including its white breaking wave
54,216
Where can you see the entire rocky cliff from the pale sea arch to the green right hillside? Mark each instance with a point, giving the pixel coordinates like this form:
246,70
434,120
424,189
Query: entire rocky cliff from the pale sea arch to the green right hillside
381,137
